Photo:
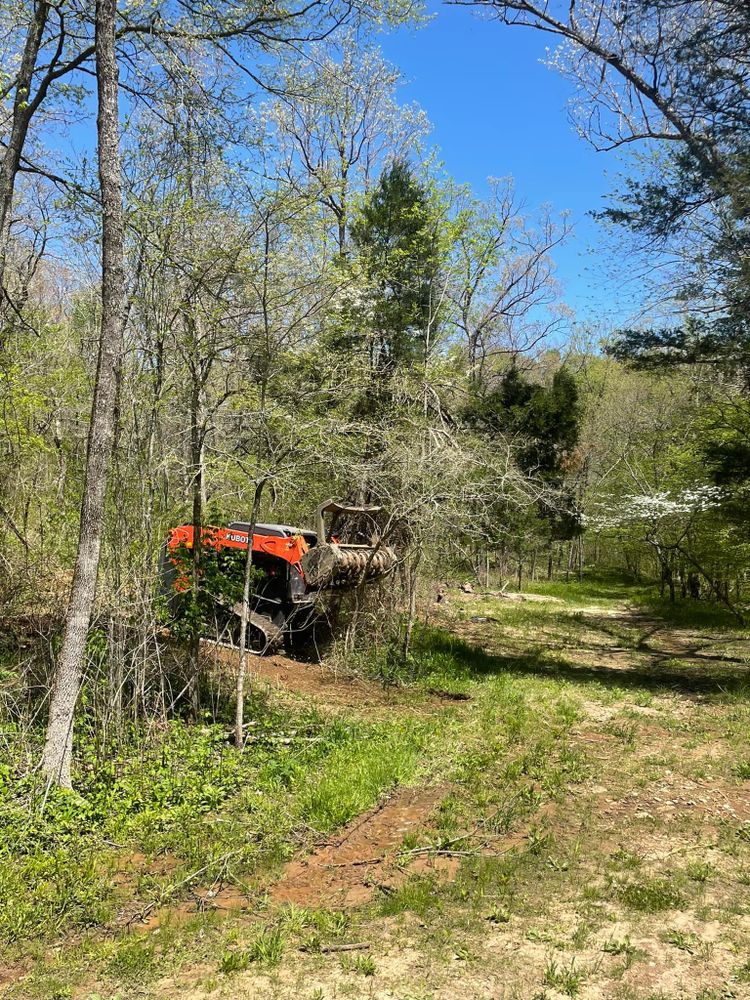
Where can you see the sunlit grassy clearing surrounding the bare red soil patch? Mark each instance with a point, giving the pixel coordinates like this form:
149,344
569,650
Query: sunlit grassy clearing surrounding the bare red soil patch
597,816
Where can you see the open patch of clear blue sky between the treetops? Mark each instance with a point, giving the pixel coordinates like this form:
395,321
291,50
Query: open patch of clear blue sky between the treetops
497,111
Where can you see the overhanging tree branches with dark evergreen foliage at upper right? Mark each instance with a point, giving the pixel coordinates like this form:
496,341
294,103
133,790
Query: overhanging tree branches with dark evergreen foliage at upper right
672,74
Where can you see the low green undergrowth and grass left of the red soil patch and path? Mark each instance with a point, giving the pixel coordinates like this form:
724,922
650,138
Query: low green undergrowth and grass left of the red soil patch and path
188,805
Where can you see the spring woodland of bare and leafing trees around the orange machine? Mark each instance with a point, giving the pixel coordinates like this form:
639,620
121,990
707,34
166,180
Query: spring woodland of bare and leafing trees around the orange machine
261,289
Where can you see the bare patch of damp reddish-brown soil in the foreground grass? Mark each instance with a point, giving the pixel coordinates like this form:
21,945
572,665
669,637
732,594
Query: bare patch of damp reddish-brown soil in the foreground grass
347,871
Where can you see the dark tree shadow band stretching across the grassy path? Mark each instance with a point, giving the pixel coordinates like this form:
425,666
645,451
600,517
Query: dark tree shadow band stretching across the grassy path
440,651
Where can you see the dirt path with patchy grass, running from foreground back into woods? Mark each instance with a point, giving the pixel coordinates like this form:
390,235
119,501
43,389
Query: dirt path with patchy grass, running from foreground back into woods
597,781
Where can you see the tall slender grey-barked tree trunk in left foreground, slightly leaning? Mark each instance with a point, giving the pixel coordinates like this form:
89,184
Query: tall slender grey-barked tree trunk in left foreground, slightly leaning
56,762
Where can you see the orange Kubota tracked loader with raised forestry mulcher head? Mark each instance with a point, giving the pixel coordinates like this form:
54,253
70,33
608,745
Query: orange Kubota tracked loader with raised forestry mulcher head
292,568
